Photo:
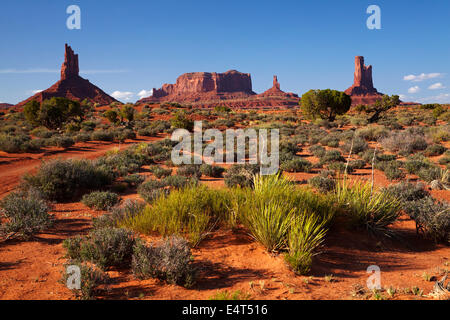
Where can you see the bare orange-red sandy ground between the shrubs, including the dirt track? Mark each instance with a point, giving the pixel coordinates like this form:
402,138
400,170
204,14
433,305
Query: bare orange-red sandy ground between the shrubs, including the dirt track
227,260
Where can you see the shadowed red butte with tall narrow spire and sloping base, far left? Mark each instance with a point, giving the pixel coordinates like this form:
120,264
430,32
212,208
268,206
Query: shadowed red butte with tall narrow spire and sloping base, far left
71,85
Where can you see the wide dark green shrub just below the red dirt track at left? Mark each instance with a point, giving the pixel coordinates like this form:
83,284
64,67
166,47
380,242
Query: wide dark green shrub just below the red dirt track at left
63,179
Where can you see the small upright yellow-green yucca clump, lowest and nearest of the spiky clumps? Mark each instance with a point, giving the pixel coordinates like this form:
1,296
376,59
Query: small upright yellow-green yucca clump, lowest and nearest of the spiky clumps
306,235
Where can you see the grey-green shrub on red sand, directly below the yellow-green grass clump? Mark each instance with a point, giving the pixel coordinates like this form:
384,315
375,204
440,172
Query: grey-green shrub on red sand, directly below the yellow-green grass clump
170,260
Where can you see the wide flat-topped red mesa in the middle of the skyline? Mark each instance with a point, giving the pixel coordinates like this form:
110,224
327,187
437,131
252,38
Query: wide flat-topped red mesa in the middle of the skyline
204,86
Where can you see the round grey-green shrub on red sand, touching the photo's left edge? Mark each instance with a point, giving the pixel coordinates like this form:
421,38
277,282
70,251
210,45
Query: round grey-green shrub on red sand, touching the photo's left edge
26,214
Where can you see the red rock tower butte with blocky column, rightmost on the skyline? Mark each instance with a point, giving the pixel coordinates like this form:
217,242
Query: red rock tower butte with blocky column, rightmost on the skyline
362,91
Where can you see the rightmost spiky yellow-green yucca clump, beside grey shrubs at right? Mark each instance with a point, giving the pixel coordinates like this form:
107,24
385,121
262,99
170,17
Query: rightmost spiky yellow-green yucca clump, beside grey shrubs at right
367,207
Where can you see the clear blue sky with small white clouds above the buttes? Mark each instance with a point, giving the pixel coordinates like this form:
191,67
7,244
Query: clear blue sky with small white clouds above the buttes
129,46
